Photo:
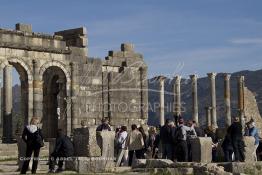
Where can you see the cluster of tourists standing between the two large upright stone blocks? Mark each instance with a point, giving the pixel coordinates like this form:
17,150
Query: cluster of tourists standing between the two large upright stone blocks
172,140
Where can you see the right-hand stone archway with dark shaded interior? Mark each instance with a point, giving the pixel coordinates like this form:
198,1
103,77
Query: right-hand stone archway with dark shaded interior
56,91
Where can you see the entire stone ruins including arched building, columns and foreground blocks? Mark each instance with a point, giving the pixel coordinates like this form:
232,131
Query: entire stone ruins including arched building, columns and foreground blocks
71,91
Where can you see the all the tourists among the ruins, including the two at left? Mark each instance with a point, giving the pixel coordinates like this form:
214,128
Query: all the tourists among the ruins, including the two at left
171,141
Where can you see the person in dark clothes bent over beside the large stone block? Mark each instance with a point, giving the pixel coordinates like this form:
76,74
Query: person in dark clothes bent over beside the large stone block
63,149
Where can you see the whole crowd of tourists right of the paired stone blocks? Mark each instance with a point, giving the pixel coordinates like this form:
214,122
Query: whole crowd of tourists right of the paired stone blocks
173,141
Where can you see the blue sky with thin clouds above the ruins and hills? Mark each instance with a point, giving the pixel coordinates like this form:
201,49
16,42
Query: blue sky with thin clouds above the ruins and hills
175,37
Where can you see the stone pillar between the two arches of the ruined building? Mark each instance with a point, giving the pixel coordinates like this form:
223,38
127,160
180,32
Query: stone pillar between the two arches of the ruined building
37,91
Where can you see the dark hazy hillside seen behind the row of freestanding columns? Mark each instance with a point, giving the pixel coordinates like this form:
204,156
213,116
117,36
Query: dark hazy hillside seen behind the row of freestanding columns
253,81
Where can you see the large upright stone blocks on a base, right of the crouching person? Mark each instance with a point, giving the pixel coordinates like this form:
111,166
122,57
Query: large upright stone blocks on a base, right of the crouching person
94,151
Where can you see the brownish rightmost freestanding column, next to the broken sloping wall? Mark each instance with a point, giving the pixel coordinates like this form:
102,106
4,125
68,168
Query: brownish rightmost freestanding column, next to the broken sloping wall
241,105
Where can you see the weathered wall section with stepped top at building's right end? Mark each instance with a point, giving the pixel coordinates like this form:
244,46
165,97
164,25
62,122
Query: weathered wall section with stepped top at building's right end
125,87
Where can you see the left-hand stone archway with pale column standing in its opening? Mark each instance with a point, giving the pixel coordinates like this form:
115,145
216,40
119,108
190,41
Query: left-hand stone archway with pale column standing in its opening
26,78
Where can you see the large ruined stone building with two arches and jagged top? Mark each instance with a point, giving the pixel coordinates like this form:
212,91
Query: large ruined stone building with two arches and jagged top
63,86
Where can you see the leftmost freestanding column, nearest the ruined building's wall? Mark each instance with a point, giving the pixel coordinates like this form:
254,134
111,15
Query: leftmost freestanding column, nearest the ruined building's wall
161,80
